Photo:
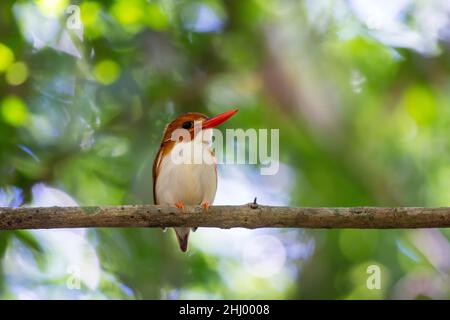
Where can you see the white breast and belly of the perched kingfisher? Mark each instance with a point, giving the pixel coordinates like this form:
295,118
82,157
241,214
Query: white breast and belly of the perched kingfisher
189,183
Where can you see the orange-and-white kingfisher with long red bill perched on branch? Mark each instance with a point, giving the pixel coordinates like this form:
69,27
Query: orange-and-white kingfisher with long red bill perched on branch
190,182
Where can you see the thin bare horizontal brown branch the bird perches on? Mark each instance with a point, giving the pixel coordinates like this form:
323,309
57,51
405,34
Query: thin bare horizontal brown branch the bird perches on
246,216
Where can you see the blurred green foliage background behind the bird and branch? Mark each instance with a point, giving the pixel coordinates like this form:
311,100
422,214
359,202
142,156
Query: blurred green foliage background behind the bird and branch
359,89
